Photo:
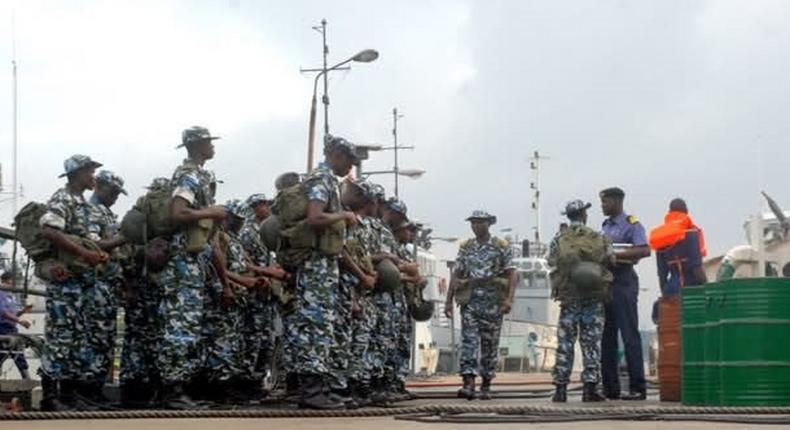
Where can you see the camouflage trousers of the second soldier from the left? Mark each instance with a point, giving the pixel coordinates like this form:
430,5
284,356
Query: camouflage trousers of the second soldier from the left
100,312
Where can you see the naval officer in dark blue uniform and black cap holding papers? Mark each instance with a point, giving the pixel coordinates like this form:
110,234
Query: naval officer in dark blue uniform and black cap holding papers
630,242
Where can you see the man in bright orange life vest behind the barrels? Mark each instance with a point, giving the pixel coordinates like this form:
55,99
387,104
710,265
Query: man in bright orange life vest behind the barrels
680,247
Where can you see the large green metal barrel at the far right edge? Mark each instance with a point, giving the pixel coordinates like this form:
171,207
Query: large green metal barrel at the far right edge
755,342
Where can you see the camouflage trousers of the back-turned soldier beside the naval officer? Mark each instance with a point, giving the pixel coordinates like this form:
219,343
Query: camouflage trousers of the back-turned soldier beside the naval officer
583,319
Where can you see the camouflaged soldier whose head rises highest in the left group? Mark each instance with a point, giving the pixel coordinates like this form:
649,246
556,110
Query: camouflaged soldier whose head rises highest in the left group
184,279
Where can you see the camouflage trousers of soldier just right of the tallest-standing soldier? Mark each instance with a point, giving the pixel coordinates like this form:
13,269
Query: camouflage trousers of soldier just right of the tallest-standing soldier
223,335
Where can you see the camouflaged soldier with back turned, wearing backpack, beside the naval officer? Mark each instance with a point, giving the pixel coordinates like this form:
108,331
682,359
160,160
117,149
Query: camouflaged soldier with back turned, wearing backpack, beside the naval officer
581,307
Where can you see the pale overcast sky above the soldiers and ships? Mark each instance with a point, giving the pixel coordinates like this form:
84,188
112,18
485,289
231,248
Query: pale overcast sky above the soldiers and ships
662,98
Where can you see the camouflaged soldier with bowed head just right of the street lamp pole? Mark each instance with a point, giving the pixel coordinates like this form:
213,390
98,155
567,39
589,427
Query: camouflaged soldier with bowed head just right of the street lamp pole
309,330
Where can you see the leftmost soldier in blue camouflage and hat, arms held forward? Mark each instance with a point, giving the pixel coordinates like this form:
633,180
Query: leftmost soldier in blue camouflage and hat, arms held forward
67,213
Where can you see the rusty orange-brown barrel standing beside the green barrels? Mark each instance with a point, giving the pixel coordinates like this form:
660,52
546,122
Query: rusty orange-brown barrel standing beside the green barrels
669,368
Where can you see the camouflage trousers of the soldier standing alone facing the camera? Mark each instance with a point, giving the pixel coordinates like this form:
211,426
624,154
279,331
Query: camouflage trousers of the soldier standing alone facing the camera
481,322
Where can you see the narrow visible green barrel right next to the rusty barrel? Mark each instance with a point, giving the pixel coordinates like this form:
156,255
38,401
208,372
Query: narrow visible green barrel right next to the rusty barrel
692,349
